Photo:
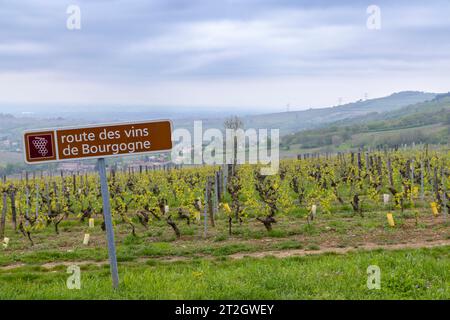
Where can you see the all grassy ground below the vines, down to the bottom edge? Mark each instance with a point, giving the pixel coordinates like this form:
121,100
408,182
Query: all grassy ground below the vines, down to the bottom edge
155,265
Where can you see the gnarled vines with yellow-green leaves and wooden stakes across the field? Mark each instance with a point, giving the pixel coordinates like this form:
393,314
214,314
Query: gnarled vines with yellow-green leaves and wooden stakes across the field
355,183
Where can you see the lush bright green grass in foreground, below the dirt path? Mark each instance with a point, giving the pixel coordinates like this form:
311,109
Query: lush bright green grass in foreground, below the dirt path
405,274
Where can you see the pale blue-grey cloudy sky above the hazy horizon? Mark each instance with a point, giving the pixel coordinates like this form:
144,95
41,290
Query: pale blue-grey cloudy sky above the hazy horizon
237,54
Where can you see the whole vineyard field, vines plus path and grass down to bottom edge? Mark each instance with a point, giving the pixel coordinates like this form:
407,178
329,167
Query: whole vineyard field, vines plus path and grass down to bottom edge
185,222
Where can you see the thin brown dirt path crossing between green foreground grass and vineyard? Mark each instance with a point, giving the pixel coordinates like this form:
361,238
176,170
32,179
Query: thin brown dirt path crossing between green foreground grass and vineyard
259,254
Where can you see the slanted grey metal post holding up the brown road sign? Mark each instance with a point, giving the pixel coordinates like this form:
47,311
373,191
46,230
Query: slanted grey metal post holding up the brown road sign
108,222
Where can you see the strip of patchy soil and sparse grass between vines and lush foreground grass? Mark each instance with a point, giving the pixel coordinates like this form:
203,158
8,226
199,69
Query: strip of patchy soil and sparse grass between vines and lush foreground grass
333,234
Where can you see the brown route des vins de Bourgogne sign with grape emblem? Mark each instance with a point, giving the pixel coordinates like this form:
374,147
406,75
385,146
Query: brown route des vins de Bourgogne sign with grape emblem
97,141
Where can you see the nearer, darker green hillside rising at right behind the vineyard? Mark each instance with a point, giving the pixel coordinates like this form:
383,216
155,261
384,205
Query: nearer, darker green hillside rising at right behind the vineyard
426,122
